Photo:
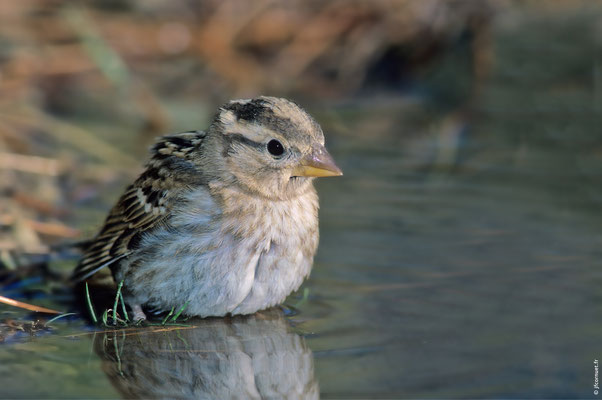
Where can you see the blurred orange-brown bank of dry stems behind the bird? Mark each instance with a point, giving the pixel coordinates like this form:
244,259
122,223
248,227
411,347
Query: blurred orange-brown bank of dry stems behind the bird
86,87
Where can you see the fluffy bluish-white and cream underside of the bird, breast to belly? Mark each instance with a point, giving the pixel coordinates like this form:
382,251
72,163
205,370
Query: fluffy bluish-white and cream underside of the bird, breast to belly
222,272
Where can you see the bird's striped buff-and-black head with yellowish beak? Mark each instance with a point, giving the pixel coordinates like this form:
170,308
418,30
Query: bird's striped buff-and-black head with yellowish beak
270,147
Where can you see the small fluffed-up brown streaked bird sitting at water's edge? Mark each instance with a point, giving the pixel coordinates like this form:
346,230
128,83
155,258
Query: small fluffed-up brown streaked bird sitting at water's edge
222,221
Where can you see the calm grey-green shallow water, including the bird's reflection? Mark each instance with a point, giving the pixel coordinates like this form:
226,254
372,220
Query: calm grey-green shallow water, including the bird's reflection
459,255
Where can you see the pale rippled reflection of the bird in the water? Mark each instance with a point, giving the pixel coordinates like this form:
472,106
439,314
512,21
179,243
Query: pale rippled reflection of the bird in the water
245,357
